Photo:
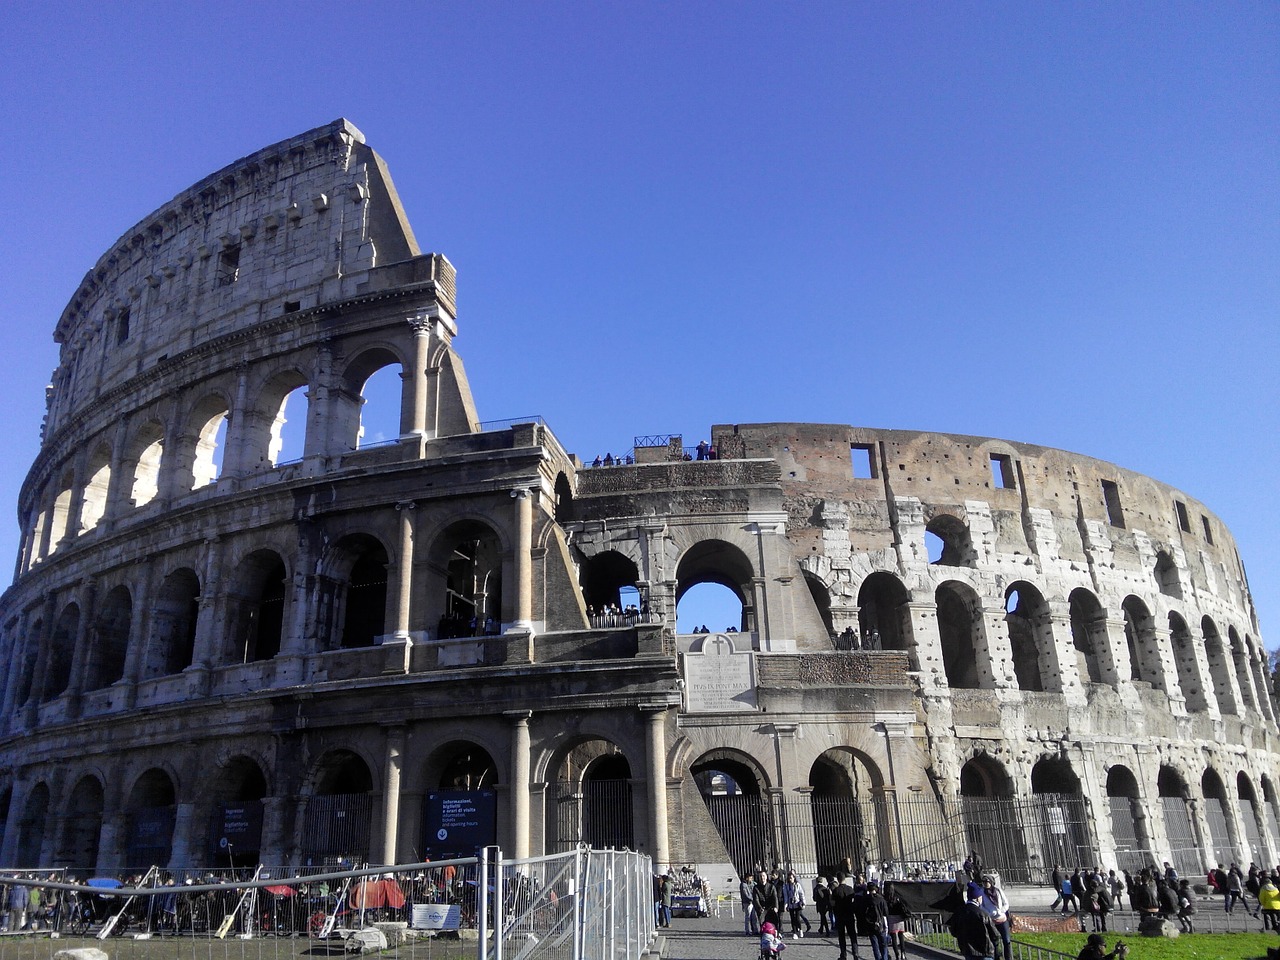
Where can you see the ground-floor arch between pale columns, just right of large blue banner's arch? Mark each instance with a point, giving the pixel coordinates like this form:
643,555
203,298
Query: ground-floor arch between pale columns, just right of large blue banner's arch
593,798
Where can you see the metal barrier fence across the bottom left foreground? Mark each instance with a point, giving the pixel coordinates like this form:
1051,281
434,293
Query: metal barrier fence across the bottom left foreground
579,906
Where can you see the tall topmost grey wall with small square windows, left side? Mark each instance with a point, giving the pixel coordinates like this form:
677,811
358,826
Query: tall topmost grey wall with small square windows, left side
285,230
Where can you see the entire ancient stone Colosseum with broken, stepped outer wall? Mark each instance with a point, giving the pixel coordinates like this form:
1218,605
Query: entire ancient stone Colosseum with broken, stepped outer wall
221,652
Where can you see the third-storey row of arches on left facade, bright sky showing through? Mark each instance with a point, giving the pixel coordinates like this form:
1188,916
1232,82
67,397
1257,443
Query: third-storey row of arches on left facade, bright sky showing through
235,428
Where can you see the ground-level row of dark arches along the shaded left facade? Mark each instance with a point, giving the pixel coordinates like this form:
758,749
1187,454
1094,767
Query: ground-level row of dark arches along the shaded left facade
237,815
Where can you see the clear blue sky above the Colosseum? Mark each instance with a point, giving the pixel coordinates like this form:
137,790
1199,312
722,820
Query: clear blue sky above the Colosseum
1055,223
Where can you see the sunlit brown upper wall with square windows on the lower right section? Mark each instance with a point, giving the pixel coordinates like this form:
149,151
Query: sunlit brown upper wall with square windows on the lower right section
1043,501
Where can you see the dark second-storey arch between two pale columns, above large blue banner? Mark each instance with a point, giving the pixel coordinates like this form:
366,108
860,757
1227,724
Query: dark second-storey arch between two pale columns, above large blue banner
470,556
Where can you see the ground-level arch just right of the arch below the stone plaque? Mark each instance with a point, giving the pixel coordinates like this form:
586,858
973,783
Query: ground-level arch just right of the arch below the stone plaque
849,815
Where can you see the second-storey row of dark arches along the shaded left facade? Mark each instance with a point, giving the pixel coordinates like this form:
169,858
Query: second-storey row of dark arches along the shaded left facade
260,606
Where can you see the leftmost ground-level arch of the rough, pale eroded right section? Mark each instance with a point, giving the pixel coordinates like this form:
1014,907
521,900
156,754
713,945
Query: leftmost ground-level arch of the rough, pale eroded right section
991,819
